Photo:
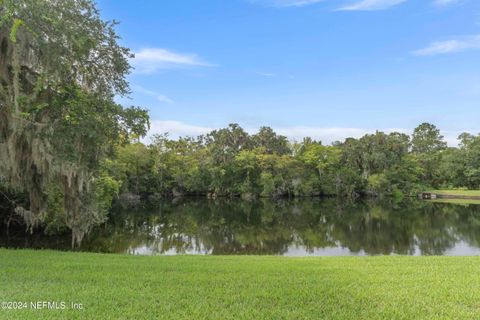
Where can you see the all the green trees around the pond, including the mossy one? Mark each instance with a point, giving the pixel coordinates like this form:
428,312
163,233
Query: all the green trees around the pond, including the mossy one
68,151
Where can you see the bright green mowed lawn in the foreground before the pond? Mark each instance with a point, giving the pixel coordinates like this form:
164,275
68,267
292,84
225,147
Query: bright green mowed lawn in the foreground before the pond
240,287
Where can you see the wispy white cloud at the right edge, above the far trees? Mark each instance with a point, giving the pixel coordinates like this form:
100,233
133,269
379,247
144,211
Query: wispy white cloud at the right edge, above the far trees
450,46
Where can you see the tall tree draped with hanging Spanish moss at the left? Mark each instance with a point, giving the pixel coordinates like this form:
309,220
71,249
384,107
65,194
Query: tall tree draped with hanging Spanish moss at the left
60,67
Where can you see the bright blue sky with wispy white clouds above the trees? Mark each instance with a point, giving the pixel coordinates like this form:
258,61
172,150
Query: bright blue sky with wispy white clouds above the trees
323,68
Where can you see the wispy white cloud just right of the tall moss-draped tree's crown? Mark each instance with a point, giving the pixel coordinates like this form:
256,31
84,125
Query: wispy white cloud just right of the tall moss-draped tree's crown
150,60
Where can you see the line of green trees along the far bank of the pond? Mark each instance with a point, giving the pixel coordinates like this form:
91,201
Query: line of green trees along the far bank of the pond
229,162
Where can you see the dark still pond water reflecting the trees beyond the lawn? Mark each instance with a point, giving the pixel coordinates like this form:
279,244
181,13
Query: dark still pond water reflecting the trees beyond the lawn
302,227
